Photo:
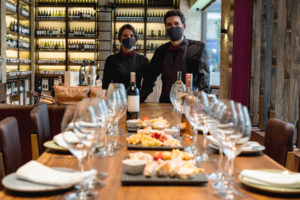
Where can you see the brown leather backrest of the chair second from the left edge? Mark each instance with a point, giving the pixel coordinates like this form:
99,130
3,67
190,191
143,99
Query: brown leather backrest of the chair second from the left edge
40,118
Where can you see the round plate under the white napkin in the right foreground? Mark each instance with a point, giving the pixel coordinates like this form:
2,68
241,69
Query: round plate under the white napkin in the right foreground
273,189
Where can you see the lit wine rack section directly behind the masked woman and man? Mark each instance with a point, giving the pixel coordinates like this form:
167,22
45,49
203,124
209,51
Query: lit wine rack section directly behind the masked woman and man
147,18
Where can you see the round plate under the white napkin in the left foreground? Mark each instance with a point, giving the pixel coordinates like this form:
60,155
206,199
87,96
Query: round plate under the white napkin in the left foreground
12,183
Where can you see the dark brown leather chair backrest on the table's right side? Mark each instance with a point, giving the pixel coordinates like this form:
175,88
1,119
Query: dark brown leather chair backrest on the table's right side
279,139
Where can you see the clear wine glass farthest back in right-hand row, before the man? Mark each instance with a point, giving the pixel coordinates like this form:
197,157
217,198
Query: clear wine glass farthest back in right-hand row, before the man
176,98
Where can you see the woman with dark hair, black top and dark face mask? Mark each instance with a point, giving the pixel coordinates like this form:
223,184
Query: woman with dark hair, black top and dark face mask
117,67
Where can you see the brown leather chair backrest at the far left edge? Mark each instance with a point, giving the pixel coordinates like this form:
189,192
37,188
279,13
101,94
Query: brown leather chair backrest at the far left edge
10,145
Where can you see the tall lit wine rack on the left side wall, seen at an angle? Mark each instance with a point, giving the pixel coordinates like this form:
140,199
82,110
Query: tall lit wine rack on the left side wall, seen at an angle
19,42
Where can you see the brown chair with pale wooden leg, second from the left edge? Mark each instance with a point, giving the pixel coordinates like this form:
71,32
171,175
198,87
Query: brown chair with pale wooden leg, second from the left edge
40,119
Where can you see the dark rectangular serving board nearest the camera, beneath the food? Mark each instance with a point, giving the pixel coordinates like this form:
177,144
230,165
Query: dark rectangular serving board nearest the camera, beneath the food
127,179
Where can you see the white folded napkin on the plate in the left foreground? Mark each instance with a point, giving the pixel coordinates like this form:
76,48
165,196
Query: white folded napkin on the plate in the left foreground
34,171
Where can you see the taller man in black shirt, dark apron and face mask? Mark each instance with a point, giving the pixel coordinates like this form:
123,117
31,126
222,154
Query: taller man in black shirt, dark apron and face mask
180,54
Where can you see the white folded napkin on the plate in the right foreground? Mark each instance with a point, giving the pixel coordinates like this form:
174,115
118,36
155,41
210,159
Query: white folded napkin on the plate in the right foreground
274,179
